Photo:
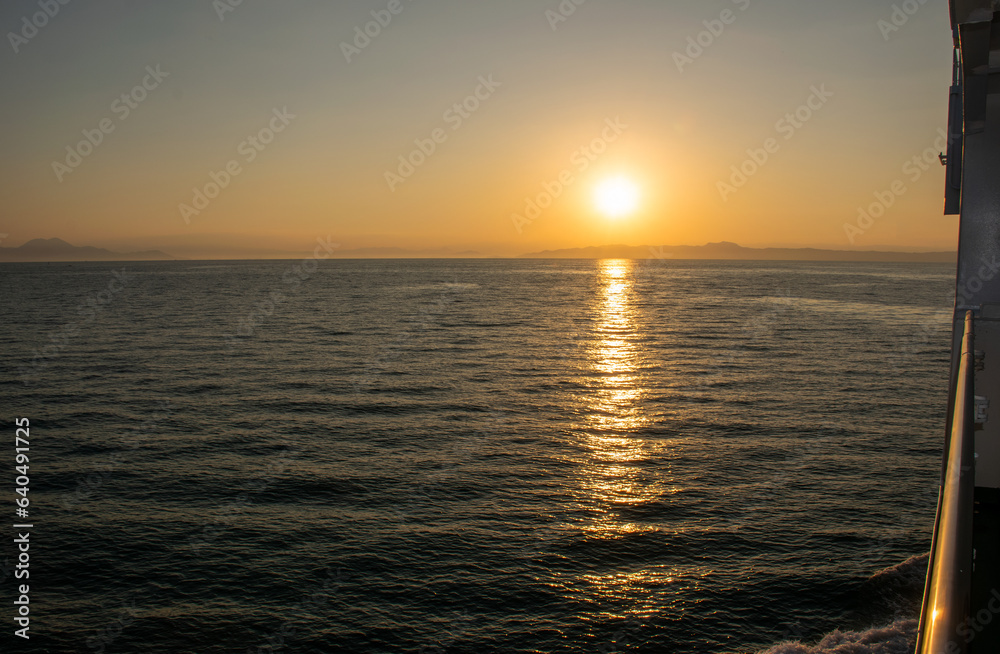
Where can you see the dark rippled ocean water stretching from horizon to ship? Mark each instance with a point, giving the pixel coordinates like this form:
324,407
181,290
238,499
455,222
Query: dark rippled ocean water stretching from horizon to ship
475,456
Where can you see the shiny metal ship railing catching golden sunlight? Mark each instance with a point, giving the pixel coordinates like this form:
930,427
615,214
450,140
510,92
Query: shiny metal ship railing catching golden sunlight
949,575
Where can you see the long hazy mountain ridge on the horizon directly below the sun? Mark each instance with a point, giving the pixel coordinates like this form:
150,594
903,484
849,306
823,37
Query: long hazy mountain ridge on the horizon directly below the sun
731,251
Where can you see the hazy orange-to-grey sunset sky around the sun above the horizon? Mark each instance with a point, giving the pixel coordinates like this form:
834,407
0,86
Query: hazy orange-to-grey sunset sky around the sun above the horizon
624,80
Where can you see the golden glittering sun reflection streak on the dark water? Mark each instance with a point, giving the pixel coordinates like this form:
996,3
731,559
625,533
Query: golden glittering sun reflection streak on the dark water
624,472
